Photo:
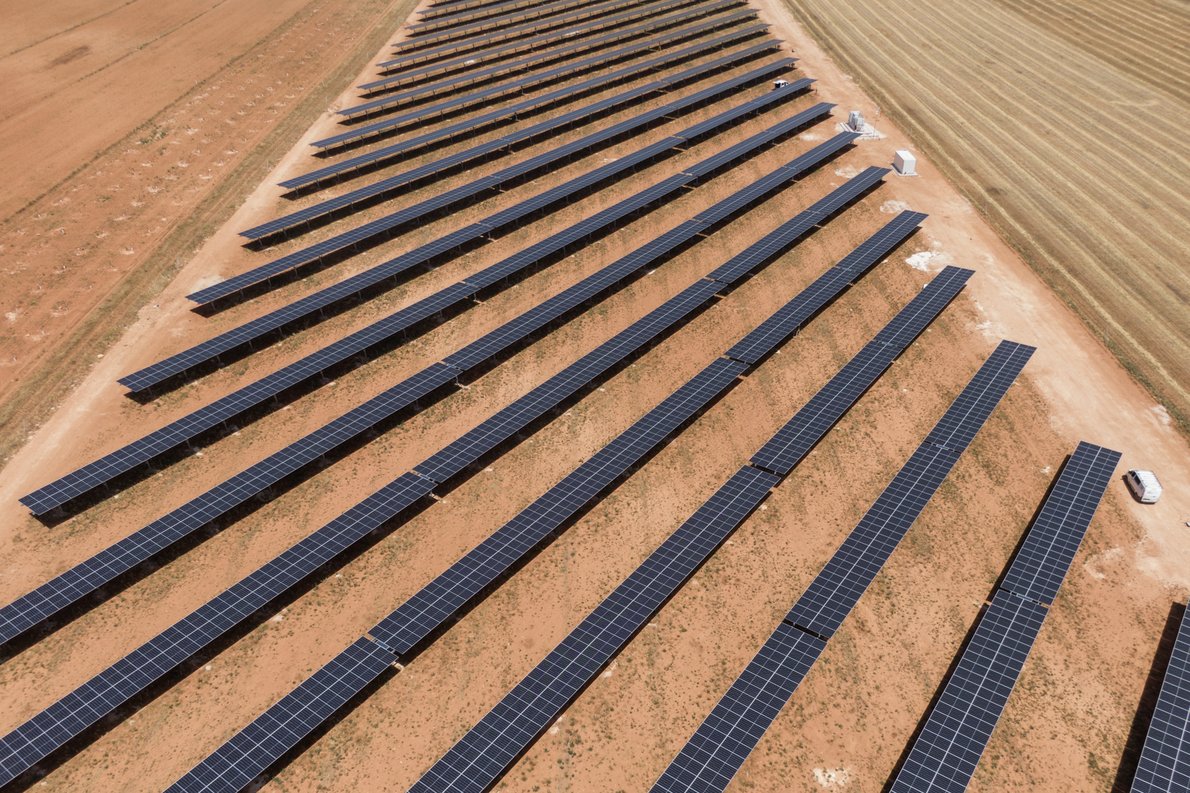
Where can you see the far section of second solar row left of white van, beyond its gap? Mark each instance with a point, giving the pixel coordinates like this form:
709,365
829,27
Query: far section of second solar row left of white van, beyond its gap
848,575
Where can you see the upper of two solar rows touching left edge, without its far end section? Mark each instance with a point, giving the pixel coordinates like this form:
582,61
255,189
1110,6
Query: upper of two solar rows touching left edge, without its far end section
87,578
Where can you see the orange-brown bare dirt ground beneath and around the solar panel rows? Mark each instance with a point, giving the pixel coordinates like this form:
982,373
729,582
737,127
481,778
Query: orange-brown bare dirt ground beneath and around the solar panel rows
1067,725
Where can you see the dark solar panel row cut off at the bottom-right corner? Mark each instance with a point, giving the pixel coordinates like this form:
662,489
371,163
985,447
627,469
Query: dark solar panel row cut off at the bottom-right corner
1164,765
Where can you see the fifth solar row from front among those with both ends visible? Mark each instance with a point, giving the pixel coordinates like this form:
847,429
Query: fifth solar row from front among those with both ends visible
528,108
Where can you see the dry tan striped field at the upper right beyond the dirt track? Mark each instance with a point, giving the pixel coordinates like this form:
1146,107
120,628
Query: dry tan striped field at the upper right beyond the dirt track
1066,124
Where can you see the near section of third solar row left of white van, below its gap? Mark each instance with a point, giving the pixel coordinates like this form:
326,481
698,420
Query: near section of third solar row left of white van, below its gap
486,752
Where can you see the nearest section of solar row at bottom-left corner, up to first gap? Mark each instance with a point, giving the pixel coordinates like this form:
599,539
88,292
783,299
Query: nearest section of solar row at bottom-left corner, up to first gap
105,694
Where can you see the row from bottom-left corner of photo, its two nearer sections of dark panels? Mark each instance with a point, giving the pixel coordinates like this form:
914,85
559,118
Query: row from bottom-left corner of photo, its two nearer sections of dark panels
101,697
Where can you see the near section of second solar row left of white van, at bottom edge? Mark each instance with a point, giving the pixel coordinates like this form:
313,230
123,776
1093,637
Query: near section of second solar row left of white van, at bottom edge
723,742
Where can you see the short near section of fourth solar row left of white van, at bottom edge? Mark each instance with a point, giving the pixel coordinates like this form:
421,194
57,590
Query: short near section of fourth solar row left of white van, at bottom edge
309,707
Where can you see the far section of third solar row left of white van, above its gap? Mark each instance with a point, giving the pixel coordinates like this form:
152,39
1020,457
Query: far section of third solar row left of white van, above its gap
799,436
